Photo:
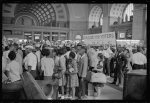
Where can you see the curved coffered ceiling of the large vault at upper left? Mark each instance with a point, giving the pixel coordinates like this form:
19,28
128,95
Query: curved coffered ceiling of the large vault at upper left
45,13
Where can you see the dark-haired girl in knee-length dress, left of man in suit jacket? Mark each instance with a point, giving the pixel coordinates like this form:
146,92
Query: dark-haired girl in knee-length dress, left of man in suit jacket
73,81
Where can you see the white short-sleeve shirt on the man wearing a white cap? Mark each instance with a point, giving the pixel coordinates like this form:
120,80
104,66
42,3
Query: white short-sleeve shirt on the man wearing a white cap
30,60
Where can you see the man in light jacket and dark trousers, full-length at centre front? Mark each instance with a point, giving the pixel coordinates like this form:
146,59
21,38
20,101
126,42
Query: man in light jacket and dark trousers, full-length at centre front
82,72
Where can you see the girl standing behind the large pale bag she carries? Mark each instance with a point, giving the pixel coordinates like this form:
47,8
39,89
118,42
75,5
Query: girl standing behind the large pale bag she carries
98,68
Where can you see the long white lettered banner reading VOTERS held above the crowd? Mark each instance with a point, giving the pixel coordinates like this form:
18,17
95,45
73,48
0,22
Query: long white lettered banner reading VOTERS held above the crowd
100,39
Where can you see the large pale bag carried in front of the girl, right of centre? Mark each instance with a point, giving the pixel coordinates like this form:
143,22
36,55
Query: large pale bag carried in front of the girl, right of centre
98,78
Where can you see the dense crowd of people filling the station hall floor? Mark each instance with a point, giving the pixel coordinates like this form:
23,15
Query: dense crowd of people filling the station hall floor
70,65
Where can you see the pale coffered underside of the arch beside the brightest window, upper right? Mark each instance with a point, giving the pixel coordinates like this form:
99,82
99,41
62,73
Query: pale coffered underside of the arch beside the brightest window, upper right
117,10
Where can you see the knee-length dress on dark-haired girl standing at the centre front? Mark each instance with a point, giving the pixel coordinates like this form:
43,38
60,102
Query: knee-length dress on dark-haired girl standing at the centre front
73,78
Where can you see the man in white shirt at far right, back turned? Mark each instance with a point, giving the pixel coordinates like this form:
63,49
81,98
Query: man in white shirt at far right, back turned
139,60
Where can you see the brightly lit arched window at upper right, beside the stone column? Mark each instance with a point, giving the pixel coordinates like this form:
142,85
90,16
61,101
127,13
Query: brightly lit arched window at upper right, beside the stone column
128,12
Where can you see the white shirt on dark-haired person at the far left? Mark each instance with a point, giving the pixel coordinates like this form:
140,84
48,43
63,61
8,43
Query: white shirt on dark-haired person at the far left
14,69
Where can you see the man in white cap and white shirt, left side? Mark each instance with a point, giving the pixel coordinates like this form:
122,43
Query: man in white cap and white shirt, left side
30,61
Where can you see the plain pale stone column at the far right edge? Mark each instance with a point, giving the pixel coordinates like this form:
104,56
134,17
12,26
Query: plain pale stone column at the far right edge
139,24
